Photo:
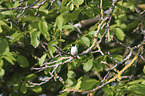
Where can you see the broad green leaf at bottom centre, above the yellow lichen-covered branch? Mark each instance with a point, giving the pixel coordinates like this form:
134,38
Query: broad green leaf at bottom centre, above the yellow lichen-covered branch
88,83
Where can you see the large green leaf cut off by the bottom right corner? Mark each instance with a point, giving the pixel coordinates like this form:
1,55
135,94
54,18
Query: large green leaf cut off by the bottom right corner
138,89
